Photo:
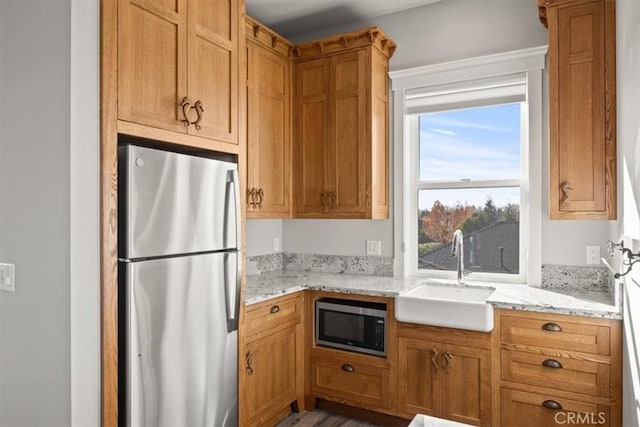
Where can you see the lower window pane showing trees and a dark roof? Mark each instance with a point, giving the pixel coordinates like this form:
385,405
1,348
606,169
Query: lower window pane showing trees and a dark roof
490,222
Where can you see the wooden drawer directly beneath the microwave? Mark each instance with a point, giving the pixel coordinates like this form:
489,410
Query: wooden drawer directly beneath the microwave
357,382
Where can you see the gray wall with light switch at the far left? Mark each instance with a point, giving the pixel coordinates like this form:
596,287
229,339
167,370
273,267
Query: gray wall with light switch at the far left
34,212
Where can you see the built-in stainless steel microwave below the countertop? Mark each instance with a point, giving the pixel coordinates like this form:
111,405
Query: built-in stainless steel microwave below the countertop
359,326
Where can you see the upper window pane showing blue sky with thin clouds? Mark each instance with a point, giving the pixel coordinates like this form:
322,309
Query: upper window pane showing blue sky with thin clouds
475,143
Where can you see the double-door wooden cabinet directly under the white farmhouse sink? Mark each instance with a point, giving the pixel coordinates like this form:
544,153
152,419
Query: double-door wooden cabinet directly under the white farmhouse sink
443,379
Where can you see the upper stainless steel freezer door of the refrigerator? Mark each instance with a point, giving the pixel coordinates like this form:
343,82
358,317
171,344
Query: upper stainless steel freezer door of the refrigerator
175,204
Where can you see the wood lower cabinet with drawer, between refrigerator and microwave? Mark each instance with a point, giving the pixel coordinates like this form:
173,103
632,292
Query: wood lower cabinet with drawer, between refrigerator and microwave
271,361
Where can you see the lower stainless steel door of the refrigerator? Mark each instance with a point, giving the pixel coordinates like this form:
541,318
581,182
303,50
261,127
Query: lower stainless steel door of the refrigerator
181,358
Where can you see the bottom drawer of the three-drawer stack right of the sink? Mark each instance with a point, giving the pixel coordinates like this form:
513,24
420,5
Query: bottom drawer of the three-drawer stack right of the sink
519,408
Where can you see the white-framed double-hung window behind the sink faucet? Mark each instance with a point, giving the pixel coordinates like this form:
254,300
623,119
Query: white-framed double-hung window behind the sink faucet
466,161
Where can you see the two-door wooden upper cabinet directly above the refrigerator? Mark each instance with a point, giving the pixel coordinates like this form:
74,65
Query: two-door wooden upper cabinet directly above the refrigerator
178,58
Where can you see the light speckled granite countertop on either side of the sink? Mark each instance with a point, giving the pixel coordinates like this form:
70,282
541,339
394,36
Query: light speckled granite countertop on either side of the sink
264,286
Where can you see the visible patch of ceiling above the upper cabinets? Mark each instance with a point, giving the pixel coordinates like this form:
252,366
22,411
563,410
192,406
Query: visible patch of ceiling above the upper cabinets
294,17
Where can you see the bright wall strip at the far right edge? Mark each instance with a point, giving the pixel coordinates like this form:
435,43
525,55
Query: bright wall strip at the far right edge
628,62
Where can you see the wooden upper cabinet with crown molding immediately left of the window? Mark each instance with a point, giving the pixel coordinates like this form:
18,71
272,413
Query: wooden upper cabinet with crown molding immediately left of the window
341,118
